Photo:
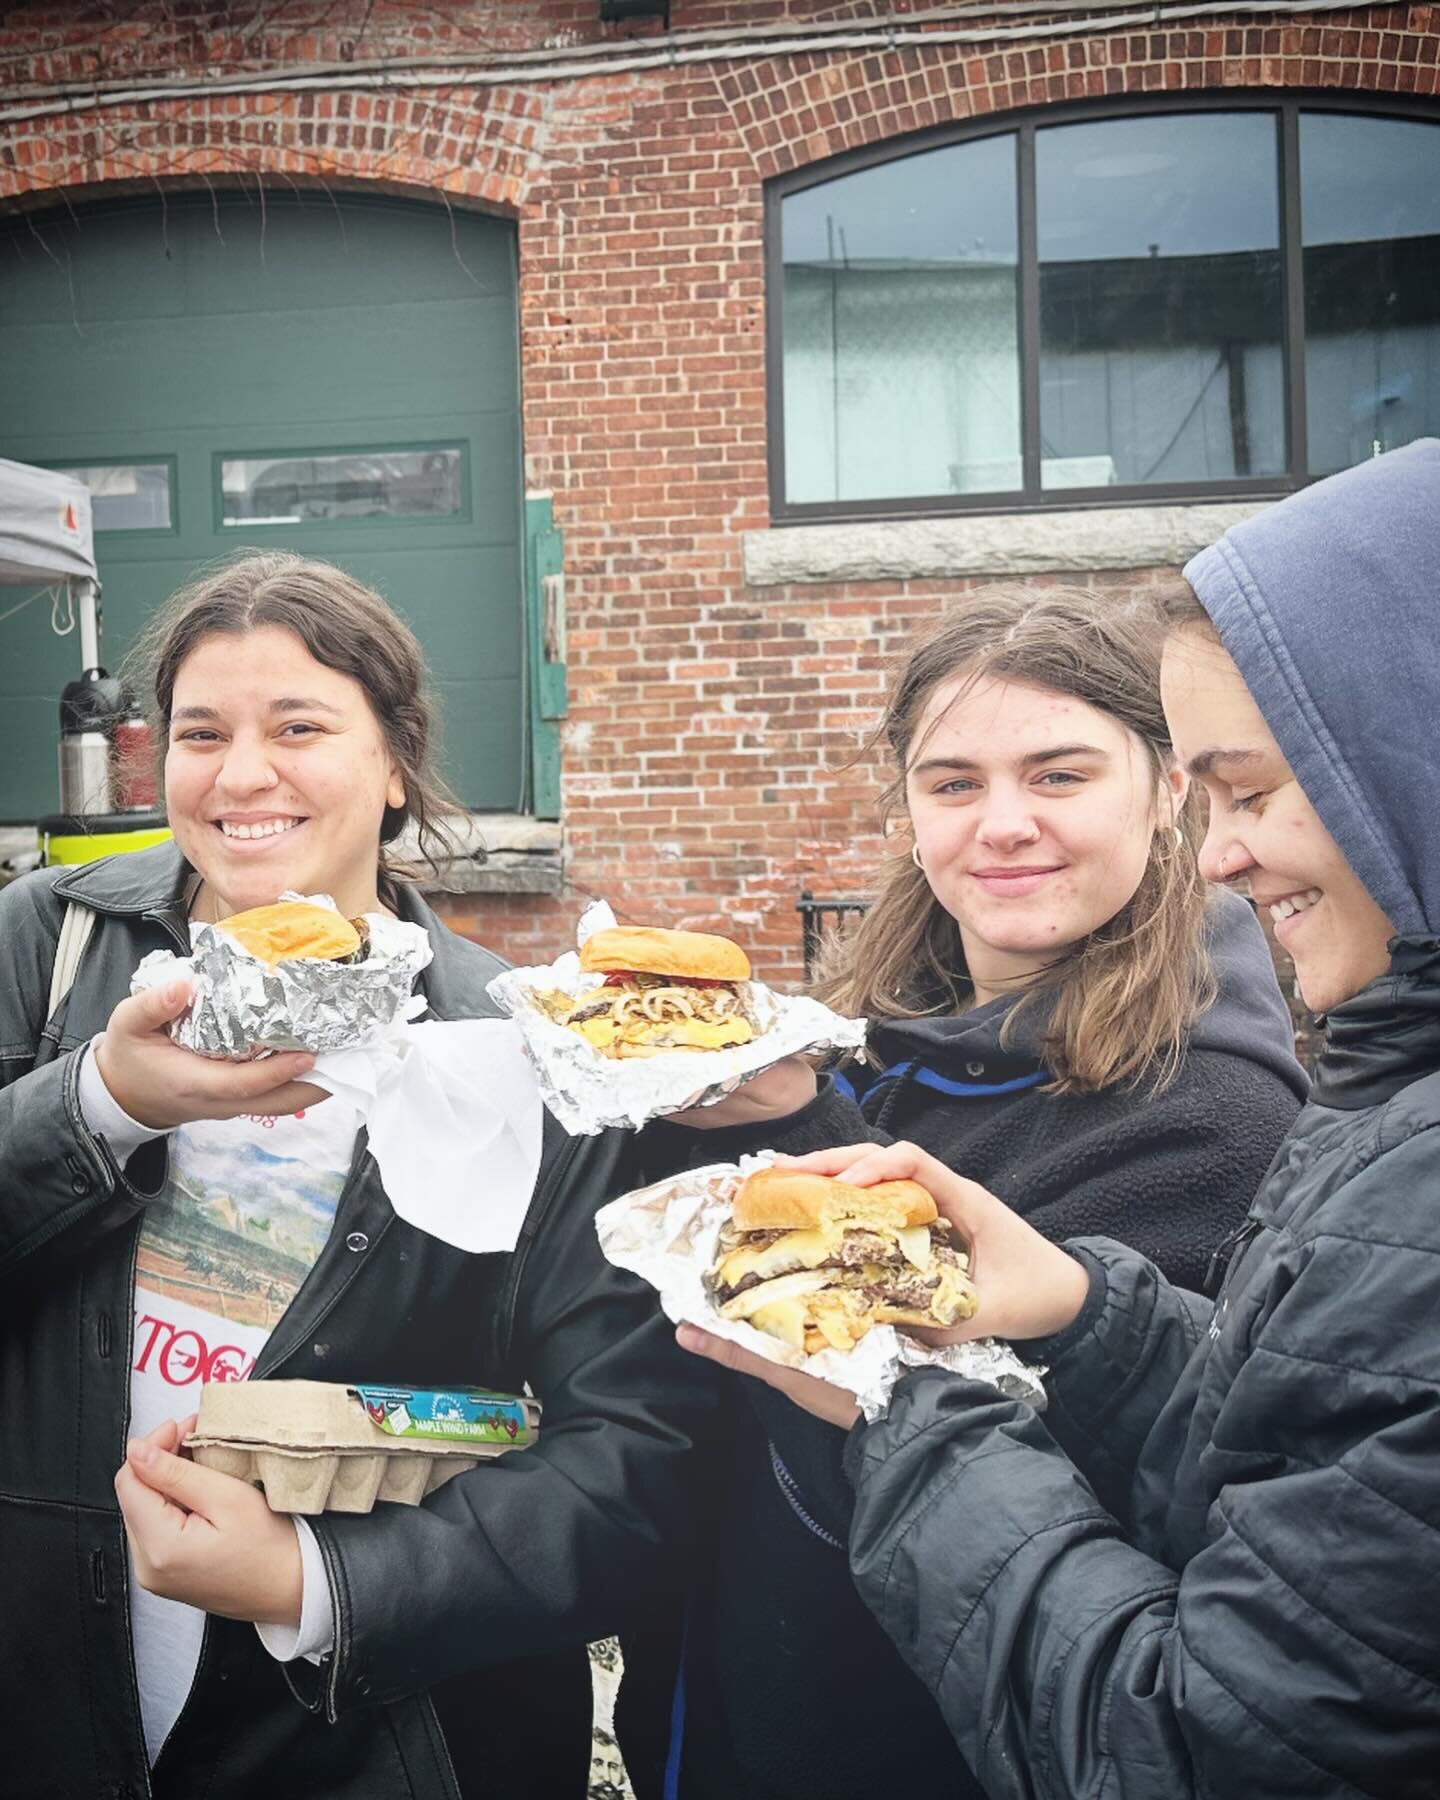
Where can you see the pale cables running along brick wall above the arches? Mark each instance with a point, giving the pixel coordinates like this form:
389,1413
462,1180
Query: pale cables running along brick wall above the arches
670,53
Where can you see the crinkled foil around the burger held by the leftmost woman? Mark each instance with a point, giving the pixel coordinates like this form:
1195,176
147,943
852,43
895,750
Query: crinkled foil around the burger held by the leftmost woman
244,1005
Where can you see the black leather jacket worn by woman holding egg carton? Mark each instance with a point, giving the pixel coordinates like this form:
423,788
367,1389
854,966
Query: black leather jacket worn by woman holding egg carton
503,1574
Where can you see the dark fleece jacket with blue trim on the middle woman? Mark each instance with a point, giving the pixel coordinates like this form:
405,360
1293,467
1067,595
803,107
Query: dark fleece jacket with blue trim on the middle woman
777,1628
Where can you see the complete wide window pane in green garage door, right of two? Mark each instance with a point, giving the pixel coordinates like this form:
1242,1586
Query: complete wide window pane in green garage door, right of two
291,490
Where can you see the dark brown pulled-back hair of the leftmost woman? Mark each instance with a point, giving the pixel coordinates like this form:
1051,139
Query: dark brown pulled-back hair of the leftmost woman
345,625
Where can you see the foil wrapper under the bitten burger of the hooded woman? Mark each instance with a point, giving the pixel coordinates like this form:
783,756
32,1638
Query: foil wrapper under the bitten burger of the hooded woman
669,1236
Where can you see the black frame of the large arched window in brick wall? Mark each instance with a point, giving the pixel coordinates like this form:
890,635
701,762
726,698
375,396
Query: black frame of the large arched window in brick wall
1023,123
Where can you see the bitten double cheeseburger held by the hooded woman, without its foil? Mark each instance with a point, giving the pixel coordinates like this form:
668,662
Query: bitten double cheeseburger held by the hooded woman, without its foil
818,1263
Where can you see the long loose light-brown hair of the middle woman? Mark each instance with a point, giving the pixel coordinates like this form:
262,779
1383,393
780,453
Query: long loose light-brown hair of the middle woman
1120,1003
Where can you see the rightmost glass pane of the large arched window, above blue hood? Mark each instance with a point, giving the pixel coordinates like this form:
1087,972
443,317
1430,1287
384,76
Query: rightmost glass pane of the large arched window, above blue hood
1371,226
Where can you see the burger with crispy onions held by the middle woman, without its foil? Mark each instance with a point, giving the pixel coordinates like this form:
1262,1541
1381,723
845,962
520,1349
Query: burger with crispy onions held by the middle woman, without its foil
663,991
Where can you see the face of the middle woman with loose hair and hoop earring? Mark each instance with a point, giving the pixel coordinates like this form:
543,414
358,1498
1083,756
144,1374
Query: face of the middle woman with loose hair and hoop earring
1034,818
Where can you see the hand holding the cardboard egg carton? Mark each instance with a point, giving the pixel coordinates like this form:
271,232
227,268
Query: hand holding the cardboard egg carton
204,1538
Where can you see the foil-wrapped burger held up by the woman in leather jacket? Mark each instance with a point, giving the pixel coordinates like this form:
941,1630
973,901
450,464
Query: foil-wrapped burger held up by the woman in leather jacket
291,976
